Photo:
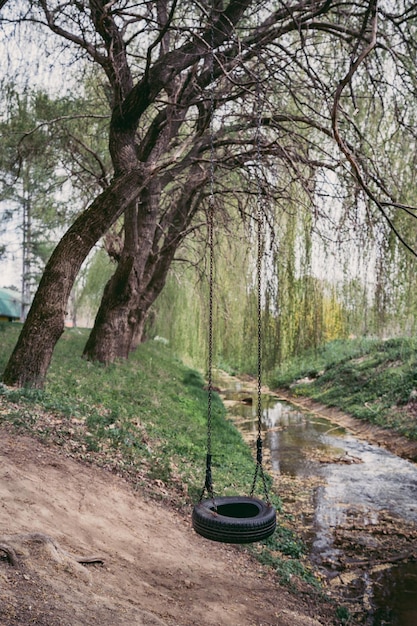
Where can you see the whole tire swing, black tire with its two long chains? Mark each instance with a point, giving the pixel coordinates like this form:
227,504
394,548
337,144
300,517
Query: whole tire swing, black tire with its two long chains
234,519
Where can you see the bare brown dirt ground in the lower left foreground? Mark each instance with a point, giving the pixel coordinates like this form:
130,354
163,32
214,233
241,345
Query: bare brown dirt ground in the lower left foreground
155,571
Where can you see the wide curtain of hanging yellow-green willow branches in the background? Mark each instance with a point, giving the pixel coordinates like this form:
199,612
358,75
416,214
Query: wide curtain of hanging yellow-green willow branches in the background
364,285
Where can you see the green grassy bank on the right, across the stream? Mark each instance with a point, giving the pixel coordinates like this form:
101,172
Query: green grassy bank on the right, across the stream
372,380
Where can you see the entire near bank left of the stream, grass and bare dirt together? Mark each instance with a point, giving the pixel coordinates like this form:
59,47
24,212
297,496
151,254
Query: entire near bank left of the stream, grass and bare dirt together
99,473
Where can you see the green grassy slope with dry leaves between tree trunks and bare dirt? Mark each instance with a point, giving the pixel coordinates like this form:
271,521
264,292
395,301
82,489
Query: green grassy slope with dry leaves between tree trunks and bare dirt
145,419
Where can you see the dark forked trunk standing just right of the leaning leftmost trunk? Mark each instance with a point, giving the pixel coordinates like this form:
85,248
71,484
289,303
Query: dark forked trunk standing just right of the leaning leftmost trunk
142,269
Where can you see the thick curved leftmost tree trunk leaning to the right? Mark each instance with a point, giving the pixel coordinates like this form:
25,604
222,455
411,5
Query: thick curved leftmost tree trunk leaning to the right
31,357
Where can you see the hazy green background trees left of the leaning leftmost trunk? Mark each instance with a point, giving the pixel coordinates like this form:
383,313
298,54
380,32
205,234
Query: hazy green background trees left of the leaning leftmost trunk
51,164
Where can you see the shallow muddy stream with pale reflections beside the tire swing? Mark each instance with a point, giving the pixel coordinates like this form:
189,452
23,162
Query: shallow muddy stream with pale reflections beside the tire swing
362,526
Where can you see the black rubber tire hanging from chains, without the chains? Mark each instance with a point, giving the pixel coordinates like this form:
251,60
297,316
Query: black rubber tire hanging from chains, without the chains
238,519
